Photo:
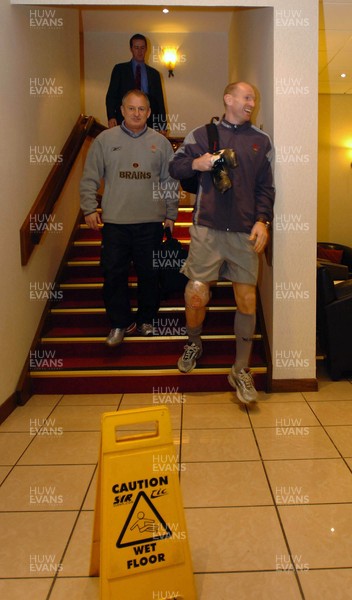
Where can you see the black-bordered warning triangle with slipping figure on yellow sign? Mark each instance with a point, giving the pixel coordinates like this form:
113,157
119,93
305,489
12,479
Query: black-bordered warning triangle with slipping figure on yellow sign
144,524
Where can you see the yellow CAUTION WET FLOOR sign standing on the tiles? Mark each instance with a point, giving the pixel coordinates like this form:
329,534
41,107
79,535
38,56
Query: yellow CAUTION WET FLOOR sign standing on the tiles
140,545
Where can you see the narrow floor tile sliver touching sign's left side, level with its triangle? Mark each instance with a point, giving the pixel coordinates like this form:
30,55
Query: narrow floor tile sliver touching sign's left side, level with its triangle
77,558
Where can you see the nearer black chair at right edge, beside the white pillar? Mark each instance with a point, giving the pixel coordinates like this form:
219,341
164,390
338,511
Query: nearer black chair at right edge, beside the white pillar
334,322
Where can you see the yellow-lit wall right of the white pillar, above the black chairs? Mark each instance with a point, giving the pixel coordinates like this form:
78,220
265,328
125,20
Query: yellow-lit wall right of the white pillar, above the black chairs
335,170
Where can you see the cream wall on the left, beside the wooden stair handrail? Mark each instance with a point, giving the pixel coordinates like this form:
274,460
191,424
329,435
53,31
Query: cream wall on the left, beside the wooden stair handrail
31,121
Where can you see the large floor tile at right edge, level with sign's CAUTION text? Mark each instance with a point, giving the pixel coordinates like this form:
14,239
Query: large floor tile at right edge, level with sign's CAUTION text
310,481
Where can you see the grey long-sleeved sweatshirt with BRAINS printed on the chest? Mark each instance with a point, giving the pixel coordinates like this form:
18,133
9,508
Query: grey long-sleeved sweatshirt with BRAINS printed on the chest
137,184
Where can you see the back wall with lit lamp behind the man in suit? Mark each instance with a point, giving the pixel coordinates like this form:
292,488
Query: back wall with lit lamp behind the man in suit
192,96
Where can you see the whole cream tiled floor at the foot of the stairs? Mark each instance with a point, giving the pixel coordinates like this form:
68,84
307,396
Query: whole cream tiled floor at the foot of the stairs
267,494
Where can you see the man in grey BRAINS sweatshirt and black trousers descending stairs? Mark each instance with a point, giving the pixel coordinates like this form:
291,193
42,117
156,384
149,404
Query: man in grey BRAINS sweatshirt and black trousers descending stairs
139,200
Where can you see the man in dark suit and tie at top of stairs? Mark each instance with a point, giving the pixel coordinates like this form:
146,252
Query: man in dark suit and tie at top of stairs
136,74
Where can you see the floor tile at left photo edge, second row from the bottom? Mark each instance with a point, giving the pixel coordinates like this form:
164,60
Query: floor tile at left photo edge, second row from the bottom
32,544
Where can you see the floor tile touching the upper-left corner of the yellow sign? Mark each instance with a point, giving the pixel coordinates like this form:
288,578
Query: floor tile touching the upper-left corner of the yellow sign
78,418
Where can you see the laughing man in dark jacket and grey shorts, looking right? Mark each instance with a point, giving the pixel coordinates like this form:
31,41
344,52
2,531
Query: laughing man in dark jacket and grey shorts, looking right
232,215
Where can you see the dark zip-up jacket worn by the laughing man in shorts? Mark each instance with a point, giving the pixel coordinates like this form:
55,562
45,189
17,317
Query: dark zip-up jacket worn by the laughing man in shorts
252,194
